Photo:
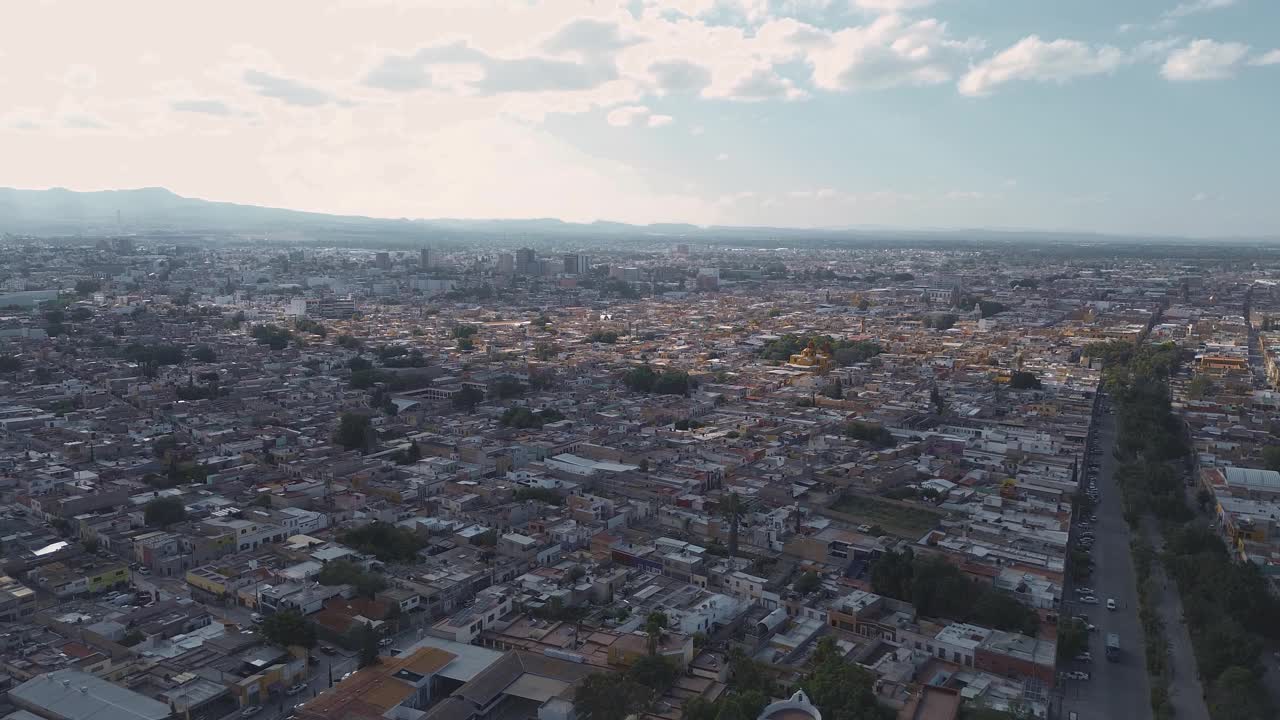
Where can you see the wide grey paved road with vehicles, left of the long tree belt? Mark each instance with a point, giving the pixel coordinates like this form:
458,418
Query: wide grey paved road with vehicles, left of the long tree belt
1117,690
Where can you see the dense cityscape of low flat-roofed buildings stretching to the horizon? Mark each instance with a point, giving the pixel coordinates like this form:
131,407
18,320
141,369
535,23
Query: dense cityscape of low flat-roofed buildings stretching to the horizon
666,479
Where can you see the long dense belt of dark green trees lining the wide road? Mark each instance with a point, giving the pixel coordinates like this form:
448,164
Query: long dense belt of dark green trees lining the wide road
1227,605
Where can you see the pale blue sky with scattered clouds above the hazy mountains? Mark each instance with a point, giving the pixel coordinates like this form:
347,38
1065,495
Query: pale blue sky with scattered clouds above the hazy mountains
1132,117
